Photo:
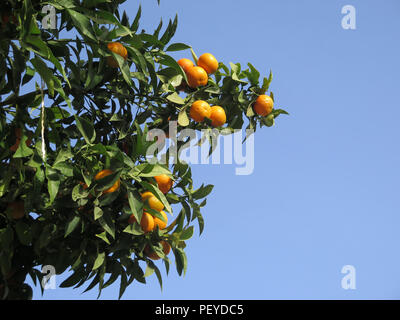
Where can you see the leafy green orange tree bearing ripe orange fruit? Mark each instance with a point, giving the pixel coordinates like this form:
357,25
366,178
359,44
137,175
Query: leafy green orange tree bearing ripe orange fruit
73,171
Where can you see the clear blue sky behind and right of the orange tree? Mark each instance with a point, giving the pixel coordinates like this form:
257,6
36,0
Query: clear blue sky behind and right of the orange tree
324,192
